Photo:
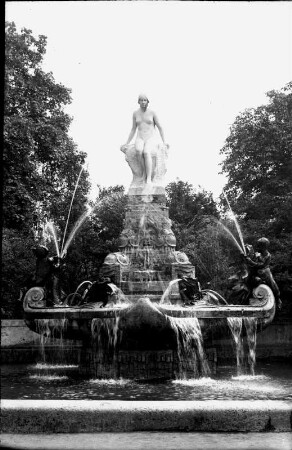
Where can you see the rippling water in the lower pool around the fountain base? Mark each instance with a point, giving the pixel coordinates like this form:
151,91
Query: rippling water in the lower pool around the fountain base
272,381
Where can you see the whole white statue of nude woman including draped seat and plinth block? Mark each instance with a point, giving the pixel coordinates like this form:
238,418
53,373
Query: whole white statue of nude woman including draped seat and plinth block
147,156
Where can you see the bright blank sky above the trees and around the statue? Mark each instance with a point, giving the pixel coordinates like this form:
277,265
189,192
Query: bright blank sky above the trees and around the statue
200,64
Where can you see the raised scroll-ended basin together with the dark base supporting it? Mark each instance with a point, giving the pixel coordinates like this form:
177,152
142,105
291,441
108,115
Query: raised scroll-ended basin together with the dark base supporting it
146,340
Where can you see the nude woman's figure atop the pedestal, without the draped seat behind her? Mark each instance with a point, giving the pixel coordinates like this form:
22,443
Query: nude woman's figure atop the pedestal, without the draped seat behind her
146,144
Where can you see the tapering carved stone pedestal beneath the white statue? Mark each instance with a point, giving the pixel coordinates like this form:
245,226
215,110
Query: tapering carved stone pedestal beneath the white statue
147,260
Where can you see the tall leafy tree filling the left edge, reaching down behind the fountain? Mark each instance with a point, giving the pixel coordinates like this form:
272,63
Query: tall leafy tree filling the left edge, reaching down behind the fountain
41,163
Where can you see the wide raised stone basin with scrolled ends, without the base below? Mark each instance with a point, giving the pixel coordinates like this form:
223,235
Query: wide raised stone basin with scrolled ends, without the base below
145,317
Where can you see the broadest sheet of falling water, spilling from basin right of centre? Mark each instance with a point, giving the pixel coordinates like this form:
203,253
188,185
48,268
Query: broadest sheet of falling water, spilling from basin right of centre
190,351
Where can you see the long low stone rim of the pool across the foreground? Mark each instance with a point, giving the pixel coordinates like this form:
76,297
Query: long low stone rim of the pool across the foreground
75,416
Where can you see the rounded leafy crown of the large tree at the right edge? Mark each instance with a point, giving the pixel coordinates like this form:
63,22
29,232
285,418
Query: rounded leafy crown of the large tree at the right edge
258,162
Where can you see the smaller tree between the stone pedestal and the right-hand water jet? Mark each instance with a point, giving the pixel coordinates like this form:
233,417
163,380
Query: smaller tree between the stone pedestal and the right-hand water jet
195,222
